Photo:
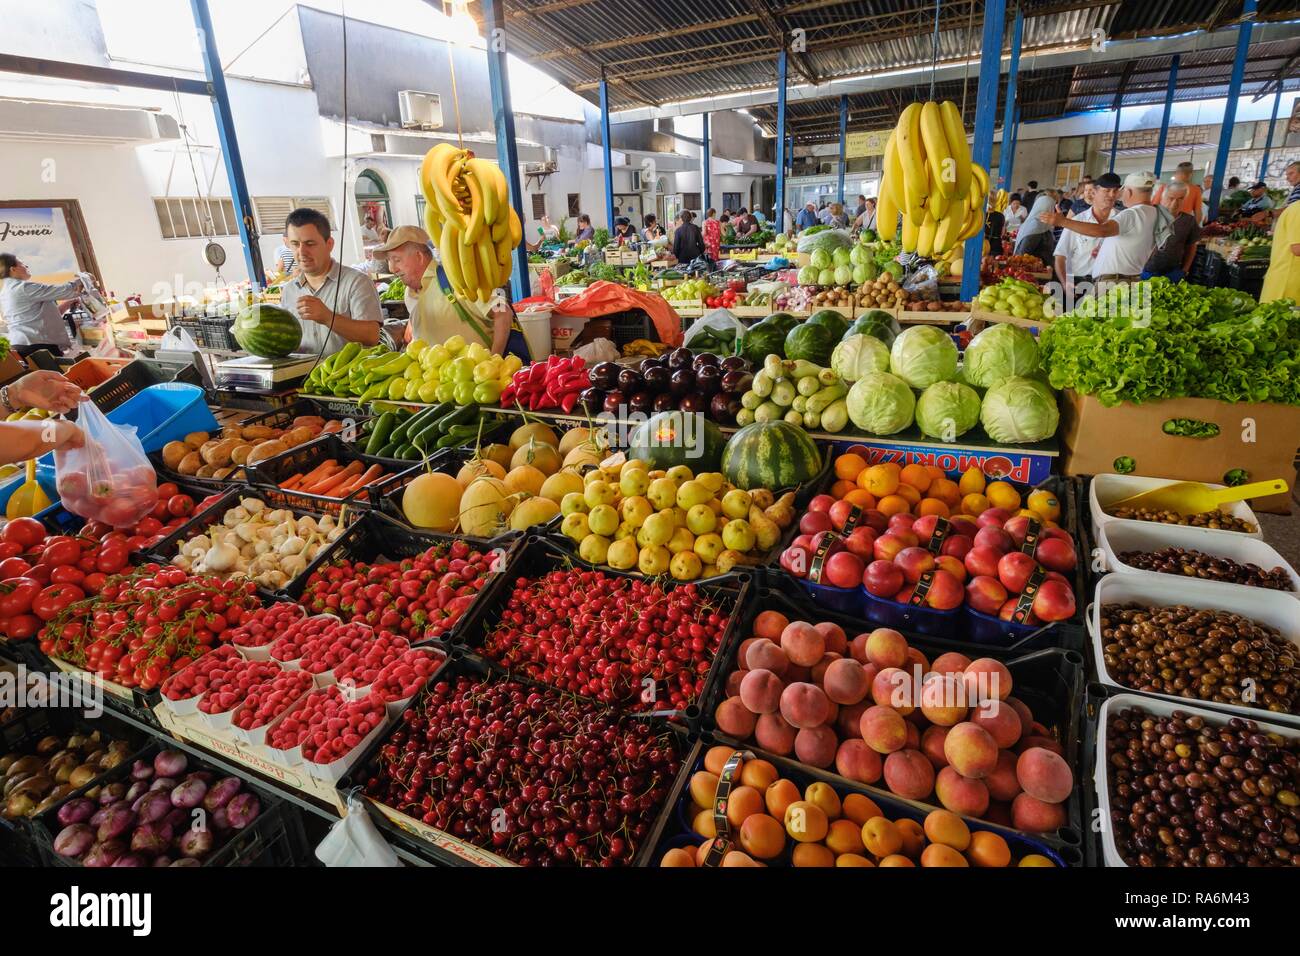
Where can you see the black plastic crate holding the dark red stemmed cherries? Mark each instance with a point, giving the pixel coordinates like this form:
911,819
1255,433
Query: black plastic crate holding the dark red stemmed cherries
418,846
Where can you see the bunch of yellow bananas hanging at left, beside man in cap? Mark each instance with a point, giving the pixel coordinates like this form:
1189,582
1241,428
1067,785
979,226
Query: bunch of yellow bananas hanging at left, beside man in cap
469,217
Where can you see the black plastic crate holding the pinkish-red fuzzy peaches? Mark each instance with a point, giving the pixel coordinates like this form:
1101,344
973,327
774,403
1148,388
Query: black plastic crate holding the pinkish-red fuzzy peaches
1051,682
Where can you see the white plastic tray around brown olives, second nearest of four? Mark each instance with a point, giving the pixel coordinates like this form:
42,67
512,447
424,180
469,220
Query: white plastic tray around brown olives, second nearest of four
1271,608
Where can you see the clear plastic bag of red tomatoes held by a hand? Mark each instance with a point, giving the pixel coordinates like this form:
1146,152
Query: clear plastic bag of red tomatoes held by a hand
110,479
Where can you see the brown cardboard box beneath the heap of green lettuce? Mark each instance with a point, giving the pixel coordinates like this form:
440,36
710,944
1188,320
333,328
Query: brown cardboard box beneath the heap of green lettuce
1259,438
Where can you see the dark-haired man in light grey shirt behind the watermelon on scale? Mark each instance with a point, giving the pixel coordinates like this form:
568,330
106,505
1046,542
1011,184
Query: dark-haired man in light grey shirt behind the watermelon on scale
336,305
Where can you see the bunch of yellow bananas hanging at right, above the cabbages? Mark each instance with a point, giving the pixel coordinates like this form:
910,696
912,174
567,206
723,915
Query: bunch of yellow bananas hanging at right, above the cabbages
930,179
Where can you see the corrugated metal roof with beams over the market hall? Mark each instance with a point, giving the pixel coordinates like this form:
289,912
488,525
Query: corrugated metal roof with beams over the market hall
656,53
